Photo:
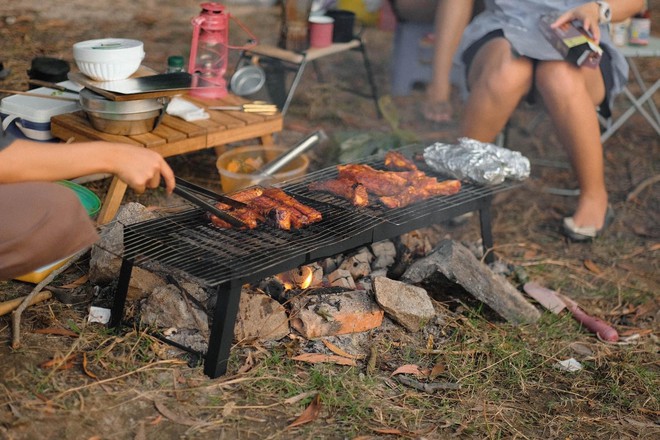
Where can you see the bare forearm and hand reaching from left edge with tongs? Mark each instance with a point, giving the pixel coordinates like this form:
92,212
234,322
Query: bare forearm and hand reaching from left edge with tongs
138,167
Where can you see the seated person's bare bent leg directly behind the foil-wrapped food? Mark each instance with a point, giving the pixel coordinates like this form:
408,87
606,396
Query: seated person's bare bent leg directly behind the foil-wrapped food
498,81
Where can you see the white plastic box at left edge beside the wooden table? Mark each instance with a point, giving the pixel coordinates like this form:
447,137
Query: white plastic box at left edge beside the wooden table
31,115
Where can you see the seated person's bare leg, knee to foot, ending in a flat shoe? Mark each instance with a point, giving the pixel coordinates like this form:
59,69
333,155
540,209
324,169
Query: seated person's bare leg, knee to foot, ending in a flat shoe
570,94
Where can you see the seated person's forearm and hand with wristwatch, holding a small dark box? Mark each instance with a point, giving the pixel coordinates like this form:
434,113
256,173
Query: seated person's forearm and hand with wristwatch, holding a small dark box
589,14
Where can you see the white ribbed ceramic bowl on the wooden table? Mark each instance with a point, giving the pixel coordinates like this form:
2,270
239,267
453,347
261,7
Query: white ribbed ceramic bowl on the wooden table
108,59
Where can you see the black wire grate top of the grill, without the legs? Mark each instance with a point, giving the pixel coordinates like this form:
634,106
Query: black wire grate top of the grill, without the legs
189,243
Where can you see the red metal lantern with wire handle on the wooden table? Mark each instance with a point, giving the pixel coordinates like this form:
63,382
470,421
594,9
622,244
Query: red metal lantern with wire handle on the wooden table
209,51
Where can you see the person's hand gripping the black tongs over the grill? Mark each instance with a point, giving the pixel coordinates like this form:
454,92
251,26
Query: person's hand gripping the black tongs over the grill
141,168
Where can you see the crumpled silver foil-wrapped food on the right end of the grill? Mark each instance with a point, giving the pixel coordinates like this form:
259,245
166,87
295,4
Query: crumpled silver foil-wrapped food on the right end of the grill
479,162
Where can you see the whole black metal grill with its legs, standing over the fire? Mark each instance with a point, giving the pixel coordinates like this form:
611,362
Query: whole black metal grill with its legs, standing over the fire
188,245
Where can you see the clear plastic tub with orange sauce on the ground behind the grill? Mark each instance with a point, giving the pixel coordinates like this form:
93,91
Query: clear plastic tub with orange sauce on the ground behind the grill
235,167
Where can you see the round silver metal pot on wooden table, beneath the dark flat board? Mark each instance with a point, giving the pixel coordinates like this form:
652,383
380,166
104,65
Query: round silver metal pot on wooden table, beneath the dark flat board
121,117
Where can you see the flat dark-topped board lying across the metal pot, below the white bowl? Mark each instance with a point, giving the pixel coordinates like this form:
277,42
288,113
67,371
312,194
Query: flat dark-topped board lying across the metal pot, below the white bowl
144,84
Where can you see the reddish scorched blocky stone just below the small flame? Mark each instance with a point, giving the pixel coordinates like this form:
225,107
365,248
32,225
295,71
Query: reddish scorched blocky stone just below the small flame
315,316
